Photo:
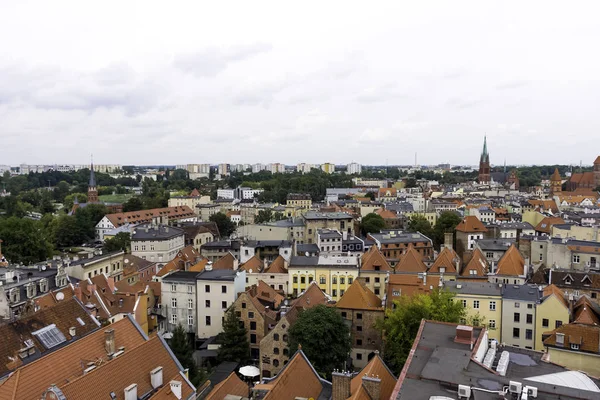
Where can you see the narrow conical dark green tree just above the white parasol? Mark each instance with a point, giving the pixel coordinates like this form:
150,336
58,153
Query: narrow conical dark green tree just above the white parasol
233,340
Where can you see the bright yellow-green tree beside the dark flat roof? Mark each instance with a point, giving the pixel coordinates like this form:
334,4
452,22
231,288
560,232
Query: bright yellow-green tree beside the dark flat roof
401,323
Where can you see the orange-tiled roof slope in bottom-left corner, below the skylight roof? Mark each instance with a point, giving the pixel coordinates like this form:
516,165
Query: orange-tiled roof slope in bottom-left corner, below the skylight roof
30,381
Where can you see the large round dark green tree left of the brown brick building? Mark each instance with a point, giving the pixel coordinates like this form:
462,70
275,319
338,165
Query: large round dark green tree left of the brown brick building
320,328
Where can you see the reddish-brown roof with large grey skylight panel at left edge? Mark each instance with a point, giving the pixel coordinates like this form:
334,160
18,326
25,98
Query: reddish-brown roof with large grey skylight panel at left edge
20,335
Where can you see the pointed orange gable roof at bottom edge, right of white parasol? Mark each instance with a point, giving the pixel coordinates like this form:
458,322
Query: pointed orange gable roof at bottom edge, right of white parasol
297,379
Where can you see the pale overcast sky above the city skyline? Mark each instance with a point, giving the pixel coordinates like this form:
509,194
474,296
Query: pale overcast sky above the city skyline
144,82
